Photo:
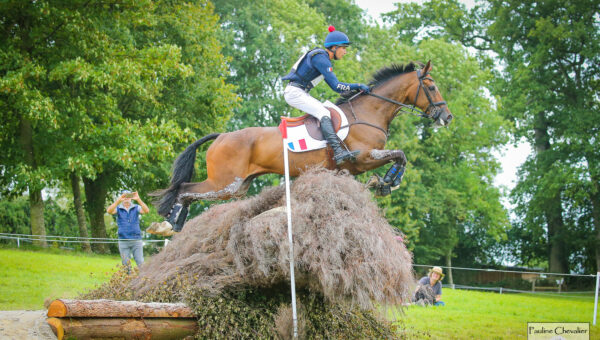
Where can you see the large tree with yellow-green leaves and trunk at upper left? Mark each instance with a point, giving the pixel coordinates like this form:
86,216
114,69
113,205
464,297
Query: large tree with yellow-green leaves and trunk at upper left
117,85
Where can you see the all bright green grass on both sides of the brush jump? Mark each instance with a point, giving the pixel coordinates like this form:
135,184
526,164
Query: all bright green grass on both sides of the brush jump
27,278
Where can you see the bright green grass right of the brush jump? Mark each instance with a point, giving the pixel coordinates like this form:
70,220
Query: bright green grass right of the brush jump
485,315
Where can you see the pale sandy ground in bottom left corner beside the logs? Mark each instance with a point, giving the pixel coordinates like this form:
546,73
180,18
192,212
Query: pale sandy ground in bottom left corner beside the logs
25,324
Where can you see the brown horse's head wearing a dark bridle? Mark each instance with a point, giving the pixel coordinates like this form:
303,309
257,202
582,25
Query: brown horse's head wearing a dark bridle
424,94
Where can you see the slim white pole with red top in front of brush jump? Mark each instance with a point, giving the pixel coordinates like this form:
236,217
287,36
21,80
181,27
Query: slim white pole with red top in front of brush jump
289,216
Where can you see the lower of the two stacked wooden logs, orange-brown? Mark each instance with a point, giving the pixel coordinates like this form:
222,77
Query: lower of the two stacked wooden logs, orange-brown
123,328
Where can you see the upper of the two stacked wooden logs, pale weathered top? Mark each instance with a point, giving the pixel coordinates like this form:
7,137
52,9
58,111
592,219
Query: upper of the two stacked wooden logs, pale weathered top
117,309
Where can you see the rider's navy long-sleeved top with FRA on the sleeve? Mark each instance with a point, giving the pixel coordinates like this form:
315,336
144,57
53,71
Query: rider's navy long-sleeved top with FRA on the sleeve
316,63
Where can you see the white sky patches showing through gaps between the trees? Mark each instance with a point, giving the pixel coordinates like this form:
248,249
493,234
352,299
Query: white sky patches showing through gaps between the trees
511,157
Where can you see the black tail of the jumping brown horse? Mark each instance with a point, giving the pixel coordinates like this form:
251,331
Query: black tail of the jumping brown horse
183,170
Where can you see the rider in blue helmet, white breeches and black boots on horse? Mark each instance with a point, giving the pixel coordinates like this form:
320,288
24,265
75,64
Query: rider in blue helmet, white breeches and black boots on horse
312,67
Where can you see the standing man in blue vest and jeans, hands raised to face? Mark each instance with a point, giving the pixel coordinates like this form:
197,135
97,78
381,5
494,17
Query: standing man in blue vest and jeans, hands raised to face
128,221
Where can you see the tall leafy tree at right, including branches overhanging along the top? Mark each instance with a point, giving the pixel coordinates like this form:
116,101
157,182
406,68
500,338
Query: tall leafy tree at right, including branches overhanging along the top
548,86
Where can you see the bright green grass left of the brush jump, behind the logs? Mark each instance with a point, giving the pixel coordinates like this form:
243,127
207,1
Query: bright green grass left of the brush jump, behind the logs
29,277
